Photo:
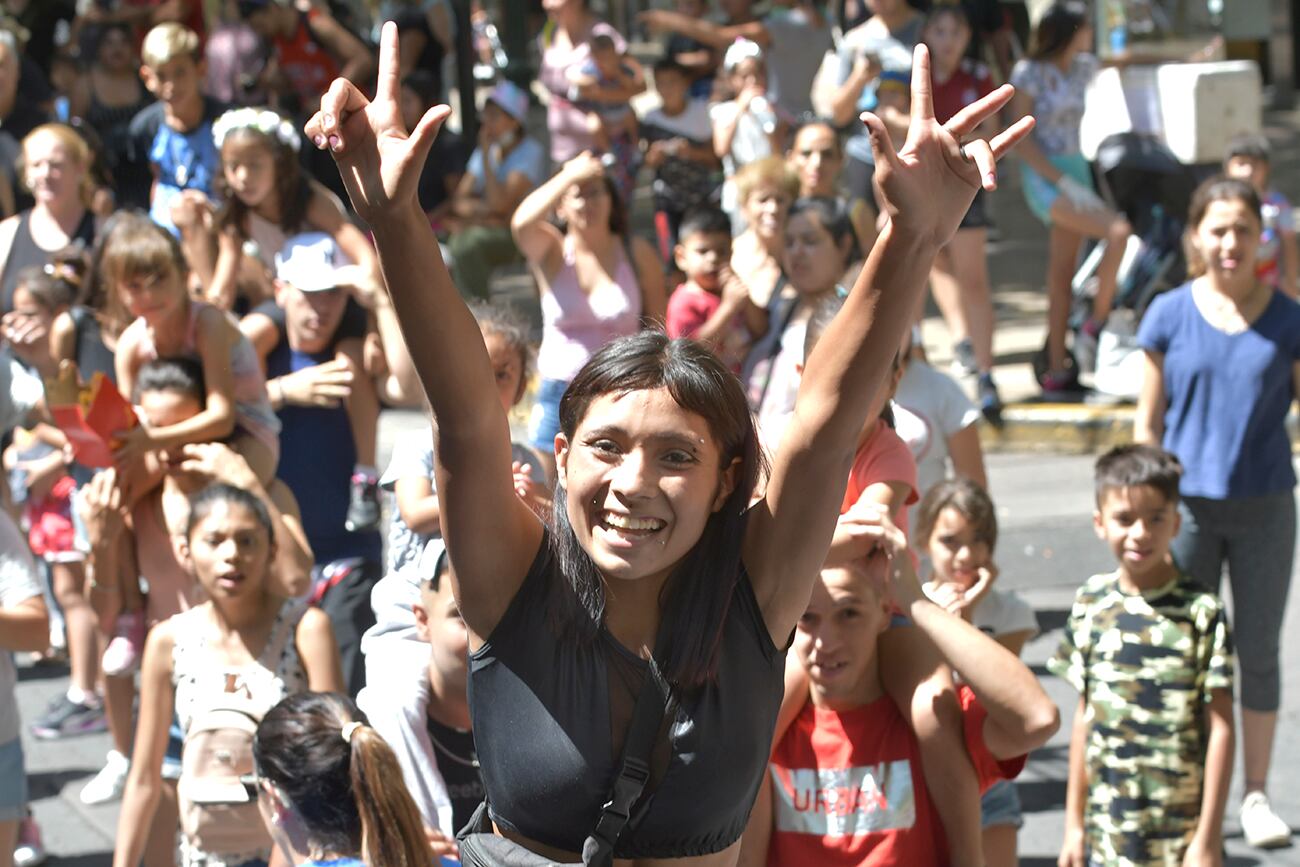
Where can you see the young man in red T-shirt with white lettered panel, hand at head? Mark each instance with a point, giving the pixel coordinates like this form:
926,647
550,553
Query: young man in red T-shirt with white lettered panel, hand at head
846,786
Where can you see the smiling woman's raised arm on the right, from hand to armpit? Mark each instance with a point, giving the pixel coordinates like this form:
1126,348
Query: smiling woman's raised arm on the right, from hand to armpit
928,189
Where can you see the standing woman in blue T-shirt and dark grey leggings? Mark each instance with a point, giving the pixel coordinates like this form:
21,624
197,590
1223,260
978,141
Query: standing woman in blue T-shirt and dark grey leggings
1223,370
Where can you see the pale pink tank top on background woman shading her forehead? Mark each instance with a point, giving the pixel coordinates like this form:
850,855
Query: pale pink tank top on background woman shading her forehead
577,324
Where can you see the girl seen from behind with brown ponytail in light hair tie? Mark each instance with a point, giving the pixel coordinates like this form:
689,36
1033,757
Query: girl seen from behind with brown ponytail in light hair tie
331,790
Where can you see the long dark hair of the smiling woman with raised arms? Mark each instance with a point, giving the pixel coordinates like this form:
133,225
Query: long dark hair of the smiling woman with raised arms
700,592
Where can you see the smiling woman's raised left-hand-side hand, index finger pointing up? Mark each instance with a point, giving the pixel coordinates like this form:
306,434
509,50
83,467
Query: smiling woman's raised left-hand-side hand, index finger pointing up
378,158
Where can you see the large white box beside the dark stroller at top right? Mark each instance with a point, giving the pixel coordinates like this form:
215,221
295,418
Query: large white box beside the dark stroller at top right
1194,109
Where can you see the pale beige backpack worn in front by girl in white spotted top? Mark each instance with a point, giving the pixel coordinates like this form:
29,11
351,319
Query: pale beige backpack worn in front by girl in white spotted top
218,813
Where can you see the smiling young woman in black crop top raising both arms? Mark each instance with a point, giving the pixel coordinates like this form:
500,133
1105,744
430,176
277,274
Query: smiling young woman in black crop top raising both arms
656,560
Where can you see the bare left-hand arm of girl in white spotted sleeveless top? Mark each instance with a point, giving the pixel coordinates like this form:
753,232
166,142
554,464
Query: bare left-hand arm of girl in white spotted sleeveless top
145,782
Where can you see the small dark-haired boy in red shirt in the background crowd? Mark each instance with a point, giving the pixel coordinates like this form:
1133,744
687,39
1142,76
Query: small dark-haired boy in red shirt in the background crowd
713,306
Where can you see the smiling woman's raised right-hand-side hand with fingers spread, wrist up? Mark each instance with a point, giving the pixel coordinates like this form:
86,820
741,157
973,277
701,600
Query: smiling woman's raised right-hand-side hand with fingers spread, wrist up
929,185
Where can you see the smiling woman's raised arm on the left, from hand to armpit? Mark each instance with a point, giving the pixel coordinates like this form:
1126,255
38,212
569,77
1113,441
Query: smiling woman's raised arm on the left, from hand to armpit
492,535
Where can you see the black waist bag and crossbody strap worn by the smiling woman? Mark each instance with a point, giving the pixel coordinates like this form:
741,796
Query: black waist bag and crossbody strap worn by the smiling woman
480,847
